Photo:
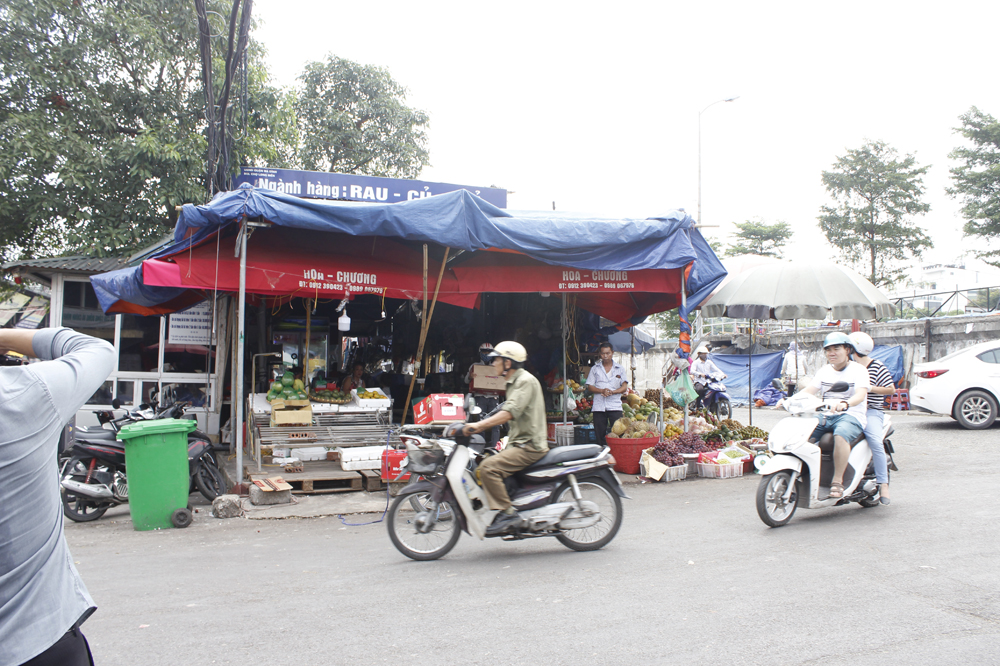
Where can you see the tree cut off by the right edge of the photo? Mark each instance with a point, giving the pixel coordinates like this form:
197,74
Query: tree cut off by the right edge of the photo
977,179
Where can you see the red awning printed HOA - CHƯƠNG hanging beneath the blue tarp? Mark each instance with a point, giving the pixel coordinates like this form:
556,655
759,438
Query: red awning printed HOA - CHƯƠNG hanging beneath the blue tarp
303,263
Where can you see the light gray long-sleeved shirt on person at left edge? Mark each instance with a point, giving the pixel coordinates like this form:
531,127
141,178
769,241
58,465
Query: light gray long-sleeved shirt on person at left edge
41,593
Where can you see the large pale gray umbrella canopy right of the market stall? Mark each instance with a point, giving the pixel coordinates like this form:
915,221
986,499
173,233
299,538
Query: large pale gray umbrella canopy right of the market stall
798,290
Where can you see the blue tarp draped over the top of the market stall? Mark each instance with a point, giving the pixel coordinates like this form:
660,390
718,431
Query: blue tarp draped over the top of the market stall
458,220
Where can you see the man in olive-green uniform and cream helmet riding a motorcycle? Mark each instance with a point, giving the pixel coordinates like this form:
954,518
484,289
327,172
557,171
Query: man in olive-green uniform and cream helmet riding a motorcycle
524,408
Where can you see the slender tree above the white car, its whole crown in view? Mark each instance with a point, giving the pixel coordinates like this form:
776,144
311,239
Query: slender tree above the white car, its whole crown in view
875,193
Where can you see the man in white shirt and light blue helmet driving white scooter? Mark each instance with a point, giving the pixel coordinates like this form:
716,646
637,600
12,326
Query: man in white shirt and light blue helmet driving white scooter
849,421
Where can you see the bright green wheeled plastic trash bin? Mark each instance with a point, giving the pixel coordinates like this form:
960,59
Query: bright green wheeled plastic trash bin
157,466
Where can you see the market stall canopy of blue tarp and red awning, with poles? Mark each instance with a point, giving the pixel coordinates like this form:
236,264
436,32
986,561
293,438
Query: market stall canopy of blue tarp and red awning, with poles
453,248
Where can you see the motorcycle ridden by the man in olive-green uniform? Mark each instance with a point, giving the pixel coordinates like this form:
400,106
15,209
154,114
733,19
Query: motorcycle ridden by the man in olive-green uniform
571,494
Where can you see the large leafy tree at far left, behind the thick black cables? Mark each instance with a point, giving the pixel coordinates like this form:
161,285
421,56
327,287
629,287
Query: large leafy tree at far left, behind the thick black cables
102,123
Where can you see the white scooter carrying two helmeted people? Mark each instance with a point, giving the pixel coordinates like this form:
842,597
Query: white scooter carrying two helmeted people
800,472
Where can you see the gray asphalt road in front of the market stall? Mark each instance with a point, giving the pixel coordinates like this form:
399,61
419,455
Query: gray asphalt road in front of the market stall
693,577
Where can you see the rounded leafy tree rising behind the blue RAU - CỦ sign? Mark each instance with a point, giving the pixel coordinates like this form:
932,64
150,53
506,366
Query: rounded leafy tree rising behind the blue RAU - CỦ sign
353,119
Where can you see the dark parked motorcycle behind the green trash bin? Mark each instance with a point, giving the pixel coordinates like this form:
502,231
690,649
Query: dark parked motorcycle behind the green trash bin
92,472
